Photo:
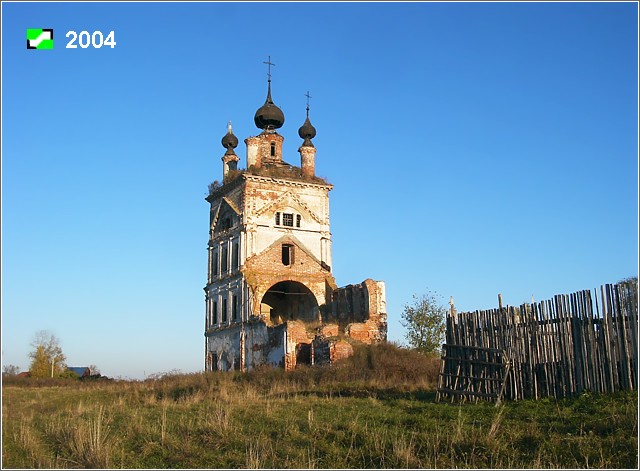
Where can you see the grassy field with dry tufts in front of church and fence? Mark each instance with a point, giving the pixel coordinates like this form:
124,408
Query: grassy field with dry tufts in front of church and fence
375,410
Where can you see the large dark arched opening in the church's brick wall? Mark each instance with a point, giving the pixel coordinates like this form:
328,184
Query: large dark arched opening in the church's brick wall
289,300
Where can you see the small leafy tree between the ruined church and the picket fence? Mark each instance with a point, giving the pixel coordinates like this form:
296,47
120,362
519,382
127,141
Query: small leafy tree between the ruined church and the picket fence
424,320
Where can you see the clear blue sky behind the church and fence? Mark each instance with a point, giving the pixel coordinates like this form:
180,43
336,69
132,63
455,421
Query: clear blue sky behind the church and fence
475,149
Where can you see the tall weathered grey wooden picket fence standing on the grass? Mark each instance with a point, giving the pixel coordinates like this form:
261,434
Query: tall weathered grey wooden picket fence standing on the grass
555,348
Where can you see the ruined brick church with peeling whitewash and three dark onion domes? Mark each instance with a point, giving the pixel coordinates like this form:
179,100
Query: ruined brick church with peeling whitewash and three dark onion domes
270,295
